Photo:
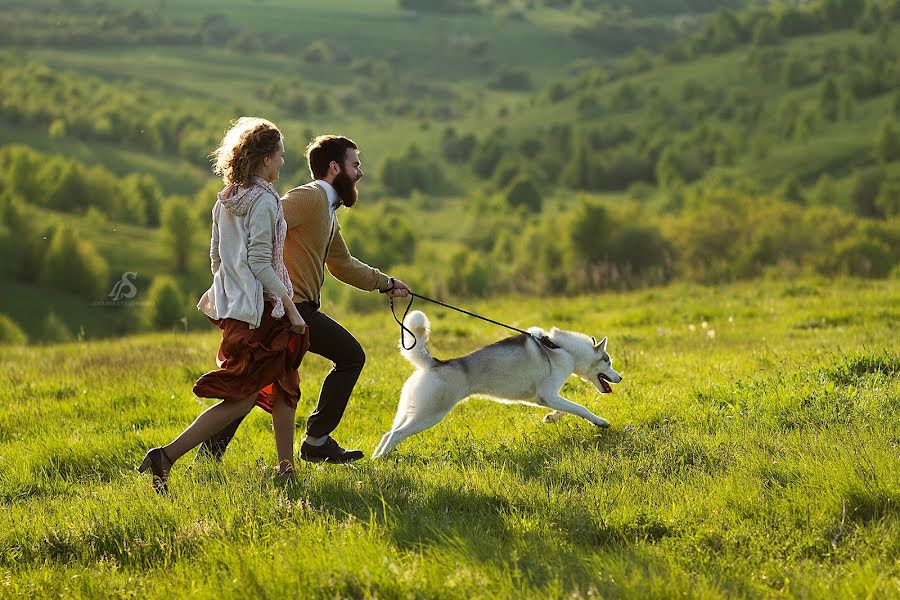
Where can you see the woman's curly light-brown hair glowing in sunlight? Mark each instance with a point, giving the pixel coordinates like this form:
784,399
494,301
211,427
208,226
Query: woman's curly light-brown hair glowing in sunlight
246,144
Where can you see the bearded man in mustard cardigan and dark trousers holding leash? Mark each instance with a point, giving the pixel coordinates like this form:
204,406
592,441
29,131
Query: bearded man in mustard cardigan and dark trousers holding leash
314,242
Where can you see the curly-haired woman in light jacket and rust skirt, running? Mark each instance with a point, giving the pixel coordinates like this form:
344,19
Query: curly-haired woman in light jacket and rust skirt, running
250,297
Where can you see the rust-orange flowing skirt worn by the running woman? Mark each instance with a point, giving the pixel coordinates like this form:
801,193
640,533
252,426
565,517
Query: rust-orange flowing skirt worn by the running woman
261,361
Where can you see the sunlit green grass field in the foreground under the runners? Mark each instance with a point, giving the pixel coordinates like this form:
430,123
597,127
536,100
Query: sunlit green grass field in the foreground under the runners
753,452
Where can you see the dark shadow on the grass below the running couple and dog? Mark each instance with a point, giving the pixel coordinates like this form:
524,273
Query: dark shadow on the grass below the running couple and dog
542,539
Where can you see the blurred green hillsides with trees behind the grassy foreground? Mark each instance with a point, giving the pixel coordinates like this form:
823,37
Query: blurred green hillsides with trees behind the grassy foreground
510,147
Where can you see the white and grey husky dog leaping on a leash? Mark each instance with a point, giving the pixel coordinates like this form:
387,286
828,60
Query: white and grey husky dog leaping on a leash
526,369
